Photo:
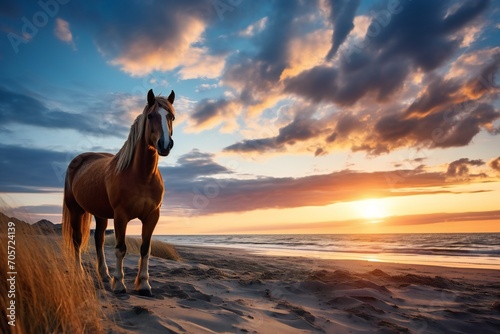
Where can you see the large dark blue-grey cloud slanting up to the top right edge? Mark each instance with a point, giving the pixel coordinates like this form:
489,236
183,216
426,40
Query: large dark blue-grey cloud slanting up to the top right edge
392,48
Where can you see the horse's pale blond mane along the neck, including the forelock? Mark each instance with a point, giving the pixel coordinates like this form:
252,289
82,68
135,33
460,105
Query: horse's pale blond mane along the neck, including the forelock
124,156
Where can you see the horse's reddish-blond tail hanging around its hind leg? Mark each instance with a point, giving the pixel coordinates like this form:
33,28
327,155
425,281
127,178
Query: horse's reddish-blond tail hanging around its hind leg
67,225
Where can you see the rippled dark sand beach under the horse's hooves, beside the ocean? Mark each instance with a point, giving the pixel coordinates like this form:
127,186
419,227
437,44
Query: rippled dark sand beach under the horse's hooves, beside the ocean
219,290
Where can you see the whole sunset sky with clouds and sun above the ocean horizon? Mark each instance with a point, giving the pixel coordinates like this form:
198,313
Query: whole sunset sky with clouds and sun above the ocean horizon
320,116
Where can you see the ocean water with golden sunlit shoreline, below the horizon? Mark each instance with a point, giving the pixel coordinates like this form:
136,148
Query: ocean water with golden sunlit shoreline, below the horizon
463,250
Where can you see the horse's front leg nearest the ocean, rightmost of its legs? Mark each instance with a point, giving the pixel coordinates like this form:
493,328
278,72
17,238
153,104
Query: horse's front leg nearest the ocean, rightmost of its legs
142,279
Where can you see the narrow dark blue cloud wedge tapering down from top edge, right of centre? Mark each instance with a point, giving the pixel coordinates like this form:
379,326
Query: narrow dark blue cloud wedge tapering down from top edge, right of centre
342,13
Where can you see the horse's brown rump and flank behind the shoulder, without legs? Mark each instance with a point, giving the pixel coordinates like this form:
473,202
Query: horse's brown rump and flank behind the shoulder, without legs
86,183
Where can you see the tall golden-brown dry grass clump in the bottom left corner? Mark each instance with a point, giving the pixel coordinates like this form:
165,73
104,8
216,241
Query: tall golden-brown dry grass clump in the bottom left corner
50,295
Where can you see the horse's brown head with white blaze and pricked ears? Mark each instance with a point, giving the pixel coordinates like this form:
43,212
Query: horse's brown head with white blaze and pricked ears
160,115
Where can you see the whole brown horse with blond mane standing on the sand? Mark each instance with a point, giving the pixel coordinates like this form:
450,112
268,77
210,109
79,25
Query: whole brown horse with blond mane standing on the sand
125,186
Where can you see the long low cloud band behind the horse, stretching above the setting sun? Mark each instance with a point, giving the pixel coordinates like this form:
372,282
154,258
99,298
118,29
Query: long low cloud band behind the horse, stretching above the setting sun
196,184
